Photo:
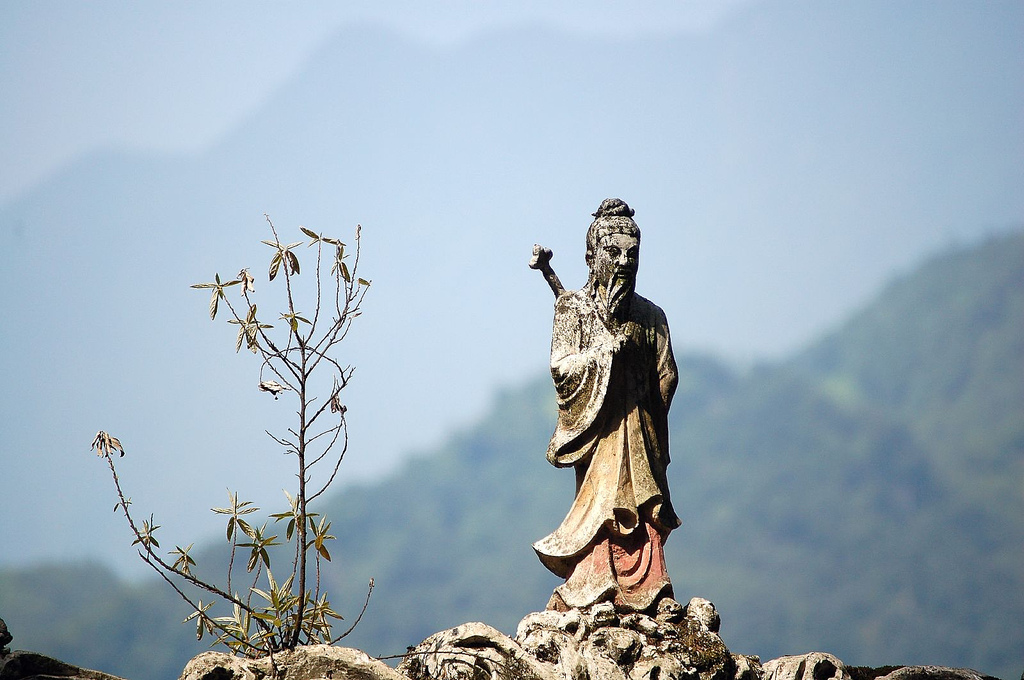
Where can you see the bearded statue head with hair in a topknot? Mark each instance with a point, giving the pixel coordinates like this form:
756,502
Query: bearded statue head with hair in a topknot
614,252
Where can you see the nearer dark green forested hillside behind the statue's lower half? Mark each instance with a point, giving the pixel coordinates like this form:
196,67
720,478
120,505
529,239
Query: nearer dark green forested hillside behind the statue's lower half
866,498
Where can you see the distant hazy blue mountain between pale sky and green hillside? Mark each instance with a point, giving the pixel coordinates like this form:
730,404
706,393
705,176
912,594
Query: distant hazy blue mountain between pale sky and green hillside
772,200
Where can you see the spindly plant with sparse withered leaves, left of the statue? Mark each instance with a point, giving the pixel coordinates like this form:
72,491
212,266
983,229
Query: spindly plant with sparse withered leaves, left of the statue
297,359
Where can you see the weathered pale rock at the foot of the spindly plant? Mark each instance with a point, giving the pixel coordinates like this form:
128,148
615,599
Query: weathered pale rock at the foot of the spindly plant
308,663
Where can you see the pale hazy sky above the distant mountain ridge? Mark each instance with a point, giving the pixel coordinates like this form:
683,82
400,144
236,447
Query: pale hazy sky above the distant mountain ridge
173,77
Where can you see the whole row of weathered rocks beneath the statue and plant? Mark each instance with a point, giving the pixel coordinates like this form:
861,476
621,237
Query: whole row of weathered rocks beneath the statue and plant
598,644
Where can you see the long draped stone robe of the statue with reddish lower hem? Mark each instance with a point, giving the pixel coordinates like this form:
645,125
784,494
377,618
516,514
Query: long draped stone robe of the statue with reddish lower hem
613,429
